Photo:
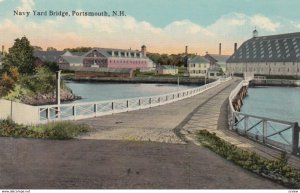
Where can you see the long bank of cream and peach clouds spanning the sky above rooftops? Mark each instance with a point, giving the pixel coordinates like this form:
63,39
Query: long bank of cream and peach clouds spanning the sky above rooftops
128,32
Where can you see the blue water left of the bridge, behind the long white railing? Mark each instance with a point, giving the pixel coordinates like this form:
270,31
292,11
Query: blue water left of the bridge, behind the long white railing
109,91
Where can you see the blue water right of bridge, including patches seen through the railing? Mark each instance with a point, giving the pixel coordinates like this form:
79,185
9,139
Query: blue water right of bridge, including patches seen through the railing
281,103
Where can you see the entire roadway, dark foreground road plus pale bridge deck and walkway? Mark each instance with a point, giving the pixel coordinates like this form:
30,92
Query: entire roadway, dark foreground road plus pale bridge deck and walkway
125,151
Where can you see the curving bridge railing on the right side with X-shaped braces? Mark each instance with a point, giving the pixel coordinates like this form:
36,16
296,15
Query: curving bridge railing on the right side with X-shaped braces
276,133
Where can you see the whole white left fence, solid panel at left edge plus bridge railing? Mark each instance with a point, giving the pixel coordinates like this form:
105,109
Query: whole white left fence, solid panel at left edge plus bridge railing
75,111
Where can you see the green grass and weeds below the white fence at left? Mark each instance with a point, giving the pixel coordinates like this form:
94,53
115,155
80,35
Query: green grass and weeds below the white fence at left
58,130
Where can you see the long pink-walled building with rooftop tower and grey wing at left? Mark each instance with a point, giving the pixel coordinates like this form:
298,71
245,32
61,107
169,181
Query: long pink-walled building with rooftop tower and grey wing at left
108,58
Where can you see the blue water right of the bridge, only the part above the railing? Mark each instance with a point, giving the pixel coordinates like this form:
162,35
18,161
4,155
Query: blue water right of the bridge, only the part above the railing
273,102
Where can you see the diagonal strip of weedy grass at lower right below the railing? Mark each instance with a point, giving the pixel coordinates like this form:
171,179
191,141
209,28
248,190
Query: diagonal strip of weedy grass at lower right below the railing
277,170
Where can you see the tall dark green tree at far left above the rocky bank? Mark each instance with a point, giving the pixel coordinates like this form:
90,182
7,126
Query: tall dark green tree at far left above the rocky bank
21,56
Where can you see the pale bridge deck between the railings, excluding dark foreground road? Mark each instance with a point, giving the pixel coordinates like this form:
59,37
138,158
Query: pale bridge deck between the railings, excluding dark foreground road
159,123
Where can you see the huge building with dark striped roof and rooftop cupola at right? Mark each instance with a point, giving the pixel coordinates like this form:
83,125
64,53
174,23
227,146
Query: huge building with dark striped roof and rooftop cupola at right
267,55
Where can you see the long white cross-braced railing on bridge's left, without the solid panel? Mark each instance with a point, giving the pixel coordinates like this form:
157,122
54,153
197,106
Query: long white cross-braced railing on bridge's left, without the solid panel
75,111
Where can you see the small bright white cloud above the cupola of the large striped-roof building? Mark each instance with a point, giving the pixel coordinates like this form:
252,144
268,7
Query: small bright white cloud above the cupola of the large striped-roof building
265,23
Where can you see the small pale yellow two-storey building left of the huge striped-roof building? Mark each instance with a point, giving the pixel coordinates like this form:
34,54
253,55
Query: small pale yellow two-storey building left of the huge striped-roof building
198,66
